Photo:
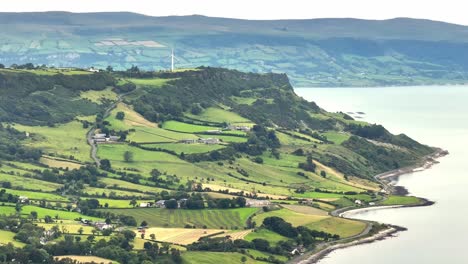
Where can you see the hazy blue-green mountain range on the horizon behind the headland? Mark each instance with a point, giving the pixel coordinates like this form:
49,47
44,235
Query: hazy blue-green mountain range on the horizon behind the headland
315,52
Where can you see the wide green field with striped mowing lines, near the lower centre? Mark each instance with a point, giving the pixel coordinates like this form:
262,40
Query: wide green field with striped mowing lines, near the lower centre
212,218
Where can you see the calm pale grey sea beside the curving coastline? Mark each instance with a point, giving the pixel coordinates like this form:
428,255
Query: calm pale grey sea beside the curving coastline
434,115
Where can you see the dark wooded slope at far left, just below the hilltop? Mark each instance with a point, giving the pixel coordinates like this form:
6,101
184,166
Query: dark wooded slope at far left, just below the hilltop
24,99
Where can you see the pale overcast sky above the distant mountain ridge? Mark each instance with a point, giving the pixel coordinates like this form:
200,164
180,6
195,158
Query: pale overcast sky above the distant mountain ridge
453,11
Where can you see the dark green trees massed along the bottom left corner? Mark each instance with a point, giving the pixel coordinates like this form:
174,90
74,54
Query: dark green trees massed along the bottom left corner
118,248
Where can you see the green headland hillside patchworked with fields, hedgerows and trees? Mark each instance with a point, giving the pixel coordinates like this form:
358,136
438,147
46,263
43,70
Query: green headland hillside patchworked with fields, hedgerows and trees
194,161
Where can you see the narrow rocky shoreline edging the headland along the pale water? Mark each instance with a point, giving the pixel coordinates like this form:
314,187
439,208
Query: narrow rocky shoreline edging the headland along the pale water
387,179
